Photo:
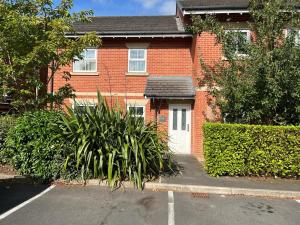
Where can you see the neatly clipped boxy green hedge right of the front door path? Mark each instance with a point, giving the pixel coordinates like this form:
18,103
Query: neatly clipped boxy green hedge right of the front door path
236,149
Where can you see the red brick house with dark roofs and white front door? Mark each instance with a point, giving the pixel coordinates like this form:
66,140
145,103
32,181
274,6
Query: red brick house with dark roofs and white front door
150,64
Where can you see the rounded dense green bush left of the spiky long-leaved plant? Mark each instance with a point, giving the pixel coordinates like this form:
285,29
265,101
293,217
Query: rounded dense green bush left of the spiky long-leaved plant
32,145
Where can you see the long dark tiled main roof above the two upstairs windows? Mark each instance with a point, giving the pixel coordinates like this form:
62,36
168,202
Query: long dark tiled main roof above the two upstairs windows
132,25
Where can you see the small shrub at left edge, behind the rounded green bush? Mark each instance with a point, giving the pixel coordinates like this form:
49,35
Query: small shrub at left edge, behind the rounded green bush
6,122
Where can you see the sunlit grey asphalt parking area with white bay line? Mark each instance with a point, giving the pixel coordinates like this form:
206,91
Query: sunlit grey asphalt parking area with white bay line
94,205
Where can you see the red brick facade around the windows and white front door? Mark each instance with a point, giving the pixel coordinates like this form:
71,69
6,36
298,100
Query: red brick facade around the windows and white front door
165,57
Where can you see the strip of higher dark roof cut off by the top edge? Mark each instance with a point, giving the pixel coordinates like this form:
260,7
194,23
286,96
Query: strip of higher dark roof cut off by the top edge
213,4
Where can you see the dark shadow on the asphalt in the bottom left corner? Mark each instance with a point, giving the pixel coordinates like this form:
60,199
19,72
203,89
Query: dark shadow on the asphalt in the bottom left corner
15,191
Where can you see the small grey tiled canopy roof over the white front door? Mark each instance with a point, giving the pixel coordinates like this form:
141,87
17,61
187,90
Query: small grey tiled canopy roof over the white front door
170,87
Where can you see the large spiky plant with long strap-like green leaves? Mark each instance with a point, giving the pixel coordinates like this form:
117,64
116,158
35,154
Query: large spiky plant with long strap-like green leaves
112,145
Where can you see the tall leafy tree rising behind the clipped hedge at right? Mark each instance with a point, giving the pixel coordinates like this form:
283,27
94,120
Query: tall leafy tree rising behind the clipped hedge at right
262,85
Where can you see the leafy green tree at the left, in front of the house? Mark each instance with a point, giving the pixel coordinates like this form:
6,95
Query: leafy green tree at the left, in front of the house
33,41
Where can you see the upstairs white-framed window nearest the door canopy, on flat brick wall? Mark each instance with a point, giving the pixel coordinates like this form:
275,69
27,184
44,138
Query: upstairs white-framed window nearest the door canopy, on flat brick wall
137,60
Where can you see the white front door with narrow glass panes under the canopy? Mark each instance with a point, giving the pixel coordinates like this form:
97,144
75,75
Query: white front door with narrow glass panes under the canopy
180,128
